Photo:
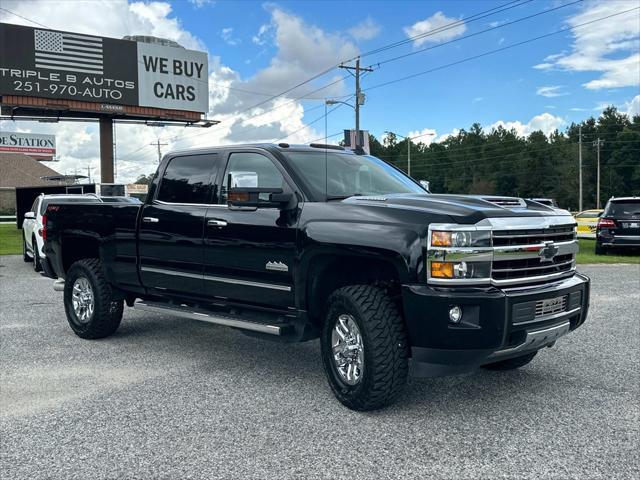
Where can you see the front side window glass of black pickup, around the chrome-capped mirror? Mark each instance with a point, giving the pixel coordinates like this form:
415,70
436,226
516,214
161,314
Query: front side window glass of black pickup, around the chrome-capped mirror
251,170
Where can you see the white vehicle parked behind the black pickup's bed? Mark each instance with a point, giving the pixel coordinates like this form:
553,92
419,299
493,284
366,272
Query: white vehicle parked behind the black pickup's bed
32,239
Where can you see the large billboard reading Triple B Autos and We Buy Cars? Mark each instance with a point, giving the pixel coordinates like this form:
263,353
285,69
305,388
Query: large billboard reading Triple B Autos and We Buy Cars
61,65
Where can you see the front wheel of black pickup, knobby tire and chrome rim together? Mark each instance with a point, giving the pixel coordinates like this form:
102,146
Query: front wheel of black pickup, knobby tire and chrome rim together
364,347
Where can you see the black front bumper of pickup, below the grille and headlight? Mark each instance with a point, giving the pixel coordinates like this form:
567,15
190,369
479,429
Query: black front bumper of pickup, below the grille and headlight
497,323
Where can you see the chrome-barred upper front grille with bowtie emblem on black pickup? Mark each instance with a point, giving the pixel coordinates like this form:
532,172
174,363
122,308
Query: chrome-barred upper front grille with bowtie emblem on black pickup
533,255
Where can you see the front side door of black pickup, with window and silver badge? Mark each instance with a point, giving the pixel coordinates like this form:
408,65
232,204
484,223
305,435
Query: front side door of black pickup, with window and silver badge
249,253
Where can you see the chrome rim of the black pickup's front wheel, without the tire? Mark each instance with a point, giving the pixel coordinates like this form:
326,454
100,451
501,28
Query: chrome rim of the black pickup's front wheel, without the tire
348,350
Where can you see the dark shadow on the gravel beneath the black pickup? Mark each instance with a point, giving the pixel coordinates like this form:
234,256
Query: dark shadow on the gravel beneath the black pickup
223,351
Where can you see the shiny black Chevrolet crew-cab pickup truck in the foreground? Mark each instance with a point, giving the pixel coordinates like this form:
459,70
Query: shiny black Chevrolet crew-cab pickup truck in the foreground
299,242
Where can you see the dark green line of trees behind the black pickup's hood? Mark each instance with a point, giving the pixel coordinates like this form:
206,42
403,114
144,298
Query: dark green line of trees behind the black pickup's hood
501,162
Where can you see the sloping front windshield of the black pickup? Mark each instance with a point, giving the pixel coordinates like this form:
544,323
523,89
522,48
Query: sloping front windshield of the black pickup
337,175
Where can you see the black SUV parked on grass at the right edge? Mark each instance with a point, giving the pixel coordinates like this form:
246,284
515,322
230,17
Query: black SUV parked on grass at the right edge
619,225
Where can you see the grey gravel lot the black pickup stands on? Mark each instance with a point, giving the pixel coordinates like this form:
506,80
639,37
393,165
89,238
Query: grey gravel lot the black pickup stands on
170,398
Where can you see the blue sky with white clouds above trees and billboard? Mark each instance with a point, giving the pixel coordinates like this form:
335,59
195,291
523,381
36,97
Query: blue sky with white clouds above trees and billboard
258,48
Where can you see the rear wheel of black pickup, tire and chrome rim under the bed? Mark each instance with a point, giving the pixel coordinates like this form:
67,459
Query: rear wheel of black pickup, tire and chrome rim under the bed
89,302
